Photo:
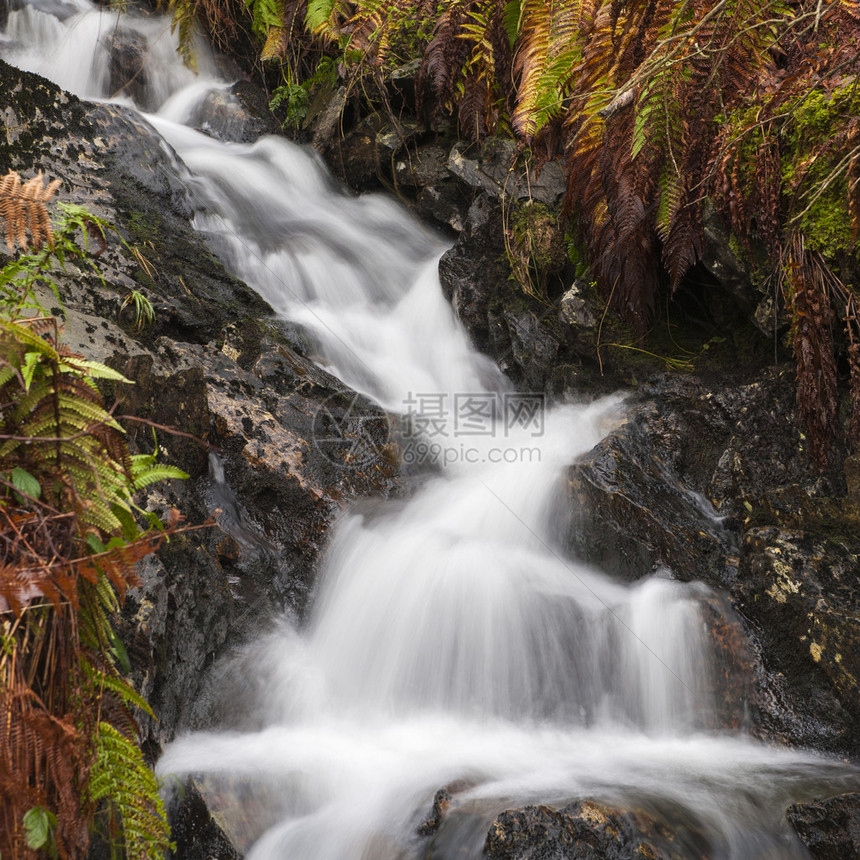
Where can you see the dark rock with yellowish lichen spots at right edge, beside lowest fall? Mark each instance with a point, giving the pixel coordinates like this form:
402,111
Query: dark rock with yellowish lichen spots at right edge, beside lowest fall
800,591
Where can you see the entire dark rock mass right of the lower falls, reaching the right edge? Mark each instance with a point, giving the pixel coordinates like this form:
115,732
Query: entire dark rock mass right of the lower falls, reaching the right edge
694,467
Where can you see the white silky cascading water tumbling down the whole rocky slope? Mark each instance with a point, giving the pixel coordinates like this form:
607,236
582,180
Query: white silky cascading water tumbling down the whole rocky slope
450,641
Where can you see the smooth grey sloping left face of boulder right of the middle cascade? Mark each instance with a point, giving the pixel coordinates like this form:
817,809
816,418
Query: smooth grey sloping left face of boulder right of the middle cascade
635,510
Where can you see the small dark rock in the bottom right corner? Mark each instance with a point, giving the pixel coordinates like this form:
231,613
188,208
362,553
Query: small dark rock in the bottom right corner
829,828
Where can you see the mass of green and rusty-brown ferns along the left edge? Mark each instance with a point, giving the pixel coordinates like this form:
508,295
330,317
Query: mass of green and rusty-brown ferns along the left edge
69,542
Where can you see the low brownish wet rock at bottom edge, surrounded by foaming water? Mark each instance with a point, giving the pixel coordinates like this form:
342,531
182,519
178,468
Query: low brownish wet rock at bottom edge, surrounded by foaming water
590,831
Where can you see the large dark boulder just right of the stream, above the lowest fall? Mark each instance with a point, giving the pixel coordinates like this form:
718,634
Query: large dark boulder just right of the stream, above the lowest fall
676,483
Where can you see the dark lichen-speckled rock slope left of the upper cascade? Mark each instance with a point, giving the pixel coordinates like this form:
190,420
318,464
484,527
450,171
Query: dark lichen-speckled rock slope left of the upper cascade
112,162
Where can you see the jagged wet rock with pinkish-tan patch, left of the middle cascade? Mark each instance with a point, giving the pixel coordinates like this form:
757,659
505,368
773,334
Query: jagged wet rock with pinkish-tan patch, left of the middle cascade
278,486
